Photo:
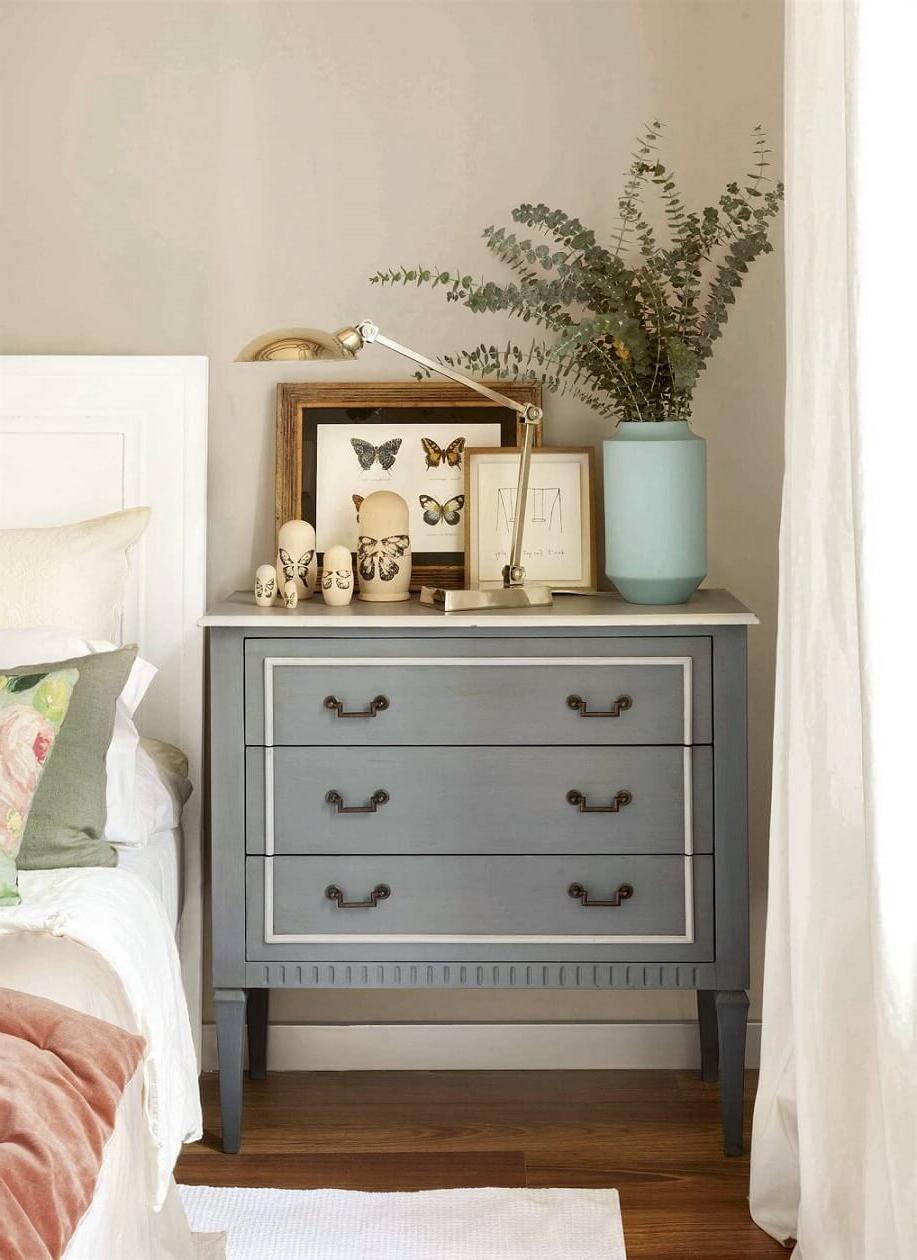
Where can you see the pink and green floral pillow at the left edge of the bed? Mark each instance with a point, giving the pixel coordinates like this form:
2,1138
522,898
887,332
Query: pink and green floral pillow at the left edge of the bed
32,711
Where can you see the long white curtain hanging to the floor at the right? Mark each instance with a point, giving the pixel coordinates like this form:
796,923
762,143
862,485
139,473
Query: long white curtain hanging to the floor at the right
834,1155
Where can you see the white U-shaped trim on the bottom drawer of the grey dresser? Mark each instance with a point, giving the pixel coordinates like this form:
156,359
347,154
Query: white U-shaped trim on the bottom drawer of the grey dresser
273,938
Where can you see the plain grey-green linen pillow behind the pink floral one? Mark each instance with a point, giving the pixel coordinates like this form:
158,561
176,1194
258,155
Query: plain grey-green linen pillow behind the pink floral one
67,820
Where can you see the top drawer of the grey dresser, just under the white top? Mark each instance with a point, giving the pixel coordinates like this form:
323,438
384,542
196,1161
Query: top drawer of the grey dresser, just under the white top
478,692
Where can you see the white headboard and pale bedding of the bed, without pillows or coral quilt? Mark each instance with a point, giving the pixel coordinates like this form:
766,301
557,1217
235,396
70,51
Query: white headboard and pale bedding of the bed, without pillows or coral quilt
111,434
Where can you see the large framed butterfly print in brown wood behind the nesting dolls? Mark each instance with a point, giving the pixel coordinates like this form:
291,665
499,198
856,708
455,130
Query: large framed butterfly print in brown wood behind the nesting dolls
338,443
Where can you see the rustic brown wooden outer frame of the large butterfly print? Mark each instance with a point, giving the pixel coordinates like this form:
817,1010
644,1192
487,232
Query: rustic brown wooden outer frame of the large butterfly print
297,400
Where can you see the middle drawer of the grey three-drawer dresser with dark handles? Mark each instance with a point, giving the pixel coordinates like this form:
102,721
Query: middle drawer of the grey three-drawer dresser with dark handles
387,799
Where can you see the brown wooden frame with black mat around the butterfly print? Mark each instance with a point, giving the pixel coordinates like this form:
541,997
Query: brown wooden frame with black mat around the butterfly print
303,406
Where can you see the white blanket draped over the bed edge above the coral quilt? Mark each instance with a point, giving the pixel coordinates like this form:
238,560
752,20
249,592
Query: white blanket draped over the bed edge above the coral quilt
111,922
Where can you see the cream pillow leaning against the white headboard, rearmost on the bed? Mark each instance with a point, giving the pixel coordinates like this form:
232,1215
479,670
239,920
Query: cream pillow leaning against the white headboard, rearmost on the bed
70,575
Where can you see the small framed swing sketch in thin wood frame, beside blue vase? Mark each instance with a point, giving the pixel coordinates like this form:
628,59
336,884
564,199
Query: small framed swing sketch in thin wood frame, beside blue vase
560,539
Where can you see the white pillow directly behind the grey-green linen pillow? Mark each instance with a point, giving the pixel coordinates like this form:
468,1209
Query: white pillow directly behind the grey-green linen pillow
124,823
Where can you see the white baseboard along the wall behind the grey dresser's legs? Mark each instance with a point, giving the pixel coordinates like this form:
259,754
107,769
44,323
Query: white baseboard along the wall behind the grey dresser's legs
479,1048
